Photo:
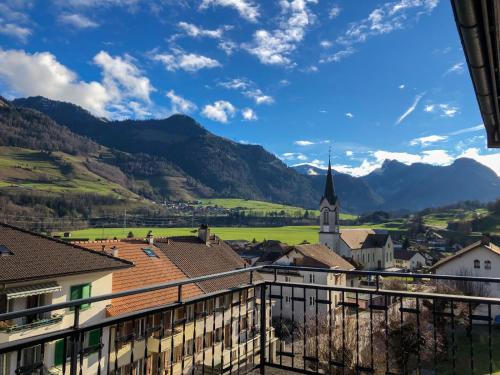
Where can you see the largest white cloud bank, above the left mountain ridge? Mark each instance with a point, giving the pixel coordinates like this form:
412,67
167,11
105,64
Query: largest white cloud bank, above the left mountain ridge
124,91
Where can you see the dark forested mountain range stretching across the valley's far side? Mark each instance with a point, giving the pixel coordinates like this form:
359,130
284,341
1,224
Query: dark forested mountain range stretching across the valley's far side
178,159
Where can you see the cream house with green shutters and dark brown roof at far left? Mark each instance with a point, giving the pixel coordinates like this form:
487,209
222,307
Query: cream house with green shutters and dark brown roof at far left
35,271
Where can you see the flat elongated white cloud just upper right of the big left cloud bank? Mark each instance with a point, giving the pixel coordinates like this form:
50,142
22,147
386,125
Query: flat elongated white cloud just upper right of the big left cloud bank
190,62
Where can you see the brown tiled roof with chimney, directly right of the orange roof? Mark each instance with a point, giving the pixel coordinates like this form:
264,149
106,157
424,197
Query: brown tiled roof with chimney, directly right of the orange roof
195,258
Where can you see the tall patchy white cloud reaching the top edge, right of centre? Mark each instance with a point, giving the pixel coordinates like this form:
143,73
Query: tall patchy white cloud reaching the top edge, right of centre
275,47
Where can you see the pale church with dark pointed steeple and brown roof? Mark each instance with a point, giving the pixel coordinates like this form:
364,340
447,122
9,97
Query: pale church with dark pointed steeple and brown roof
368,249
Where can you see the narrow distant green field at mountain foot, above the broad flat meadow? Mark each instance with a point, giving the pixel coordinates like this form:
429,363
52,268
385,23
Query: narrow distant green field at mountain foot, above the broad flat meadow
263,208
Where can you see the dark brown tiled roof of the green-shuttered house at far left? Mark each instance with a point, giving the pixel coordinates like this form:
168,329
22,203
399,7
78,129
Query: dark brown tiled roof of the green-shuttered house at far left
34,256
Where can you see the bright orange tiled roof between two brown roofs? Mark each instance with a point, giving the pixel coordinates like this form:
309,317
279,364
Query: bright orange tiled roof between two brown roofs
147,271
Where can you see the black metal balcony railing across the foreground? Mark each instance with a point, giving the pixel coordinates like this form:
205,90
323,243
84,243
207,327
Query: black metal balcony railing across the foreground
394,323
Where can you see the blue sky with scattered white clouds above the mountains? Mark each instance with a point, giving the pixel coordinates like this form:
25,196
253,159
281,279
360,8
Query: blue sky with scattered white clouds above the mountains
372,80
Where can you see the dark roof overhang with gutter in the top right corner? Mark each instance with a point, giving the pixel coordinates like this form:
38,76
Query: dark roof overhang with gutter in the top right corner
478,23
